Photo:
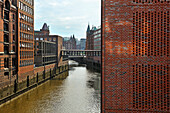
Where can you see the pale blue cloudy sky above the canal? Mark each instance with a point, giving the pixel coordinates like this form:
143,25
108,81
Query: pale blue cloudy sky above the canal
67,17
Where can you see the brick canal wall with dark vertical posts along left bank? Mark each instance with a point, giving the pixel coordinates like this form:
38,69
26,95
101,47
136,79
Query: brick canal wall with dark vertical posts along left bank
40,76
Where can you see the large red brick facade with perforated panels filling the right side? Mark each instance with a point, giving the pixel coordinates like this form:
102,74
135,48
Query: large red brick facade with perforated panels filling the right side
135,56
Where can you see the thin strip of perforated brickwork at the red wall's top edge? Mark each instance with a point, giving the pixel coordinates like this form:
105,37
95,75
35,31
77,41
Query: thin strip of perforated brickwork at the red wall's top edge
151,1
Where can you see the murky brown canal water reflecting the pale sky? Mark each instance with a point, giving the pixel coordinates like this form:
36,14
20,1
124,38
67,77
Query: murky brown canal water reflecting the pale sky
78,93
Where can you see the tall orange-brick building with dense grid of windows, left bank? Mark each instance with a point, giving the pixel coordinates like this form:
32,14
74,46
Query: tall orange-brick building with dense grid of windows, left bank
25,38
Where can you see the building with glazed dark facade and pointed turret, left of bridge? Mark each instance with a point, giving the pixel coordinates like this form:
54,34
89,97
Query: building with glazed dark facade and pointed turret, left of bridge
47,47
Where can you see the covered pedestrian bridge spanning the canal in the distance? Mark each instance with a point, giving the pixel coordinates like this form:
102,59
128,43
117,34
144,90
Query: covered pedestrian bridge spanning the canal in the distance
82,53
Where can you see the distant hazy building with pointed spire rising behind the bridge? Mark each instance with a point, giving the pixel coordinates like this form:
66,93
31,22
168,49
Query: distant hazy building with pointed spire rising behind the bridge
69,44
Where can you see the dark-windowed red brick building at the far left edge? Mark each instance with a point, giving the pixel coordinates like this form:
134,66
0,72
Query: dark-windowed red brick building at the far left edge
8,40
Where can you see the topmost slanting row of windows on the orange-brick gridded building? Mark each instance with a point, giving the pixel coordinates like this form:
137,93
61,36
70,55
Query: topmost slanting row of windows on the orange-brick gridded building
25,8
